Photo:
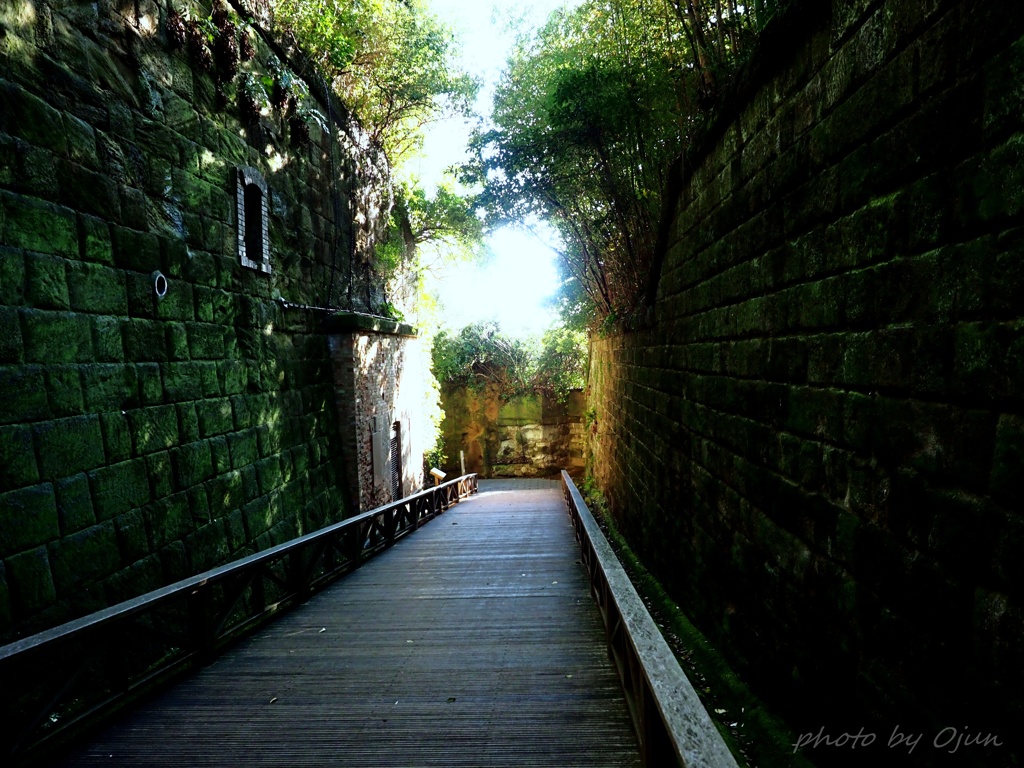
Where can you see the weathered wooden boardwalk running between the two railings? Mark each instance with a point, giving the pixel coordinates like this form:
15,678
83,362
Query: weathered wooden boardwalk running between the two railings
474,643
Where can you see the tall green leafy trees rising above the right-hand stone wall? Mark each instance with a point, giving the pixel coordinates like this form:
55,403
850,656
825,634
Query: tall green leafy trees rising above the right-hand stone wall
587,121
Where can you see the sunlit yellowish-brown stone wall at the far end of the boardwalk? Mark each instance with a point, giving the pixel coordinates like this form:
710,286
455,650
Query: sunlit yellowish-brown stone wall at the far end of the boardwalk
530,437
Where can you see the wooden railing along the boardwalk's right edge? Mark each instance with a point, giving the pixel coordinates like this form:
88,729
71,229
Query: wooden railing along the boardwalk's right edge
672,726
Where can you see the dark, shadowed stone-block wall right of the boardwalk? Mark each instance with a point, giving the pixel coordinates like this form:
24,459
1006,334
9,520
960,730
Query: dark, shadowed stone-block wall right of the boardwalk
817,437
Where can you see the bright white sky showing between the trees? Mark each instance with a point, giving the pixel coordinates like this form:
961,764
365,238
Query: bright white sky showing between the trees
513,286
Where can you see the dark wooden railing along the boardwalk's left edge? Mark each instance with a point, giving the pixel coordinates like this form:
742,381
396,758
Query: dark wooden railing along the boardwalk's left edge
60,680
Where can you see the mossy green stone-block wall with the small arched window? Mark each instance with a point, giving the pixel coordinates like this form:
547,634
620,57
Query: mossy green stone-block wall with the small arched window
145,439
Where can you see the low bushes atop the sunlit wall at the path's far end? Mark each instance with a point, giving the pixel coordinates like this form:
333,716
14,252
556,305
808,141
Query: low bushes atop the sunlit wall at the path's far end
481,356
